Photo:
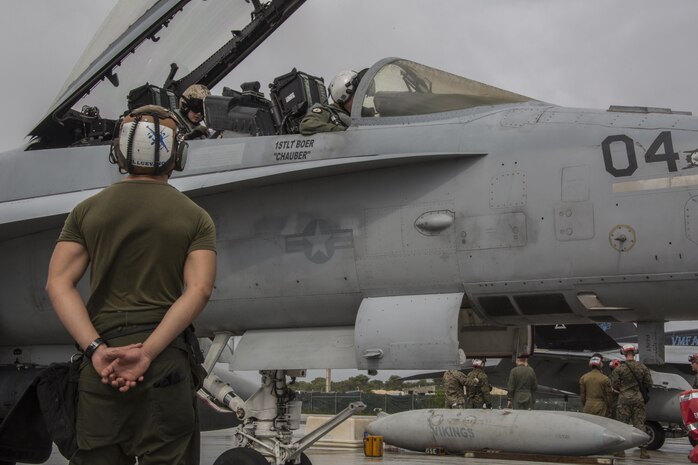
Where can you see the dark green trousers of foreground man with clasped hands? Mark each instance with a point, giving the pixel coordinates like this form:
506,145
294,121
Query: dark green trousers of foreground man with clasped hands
156,421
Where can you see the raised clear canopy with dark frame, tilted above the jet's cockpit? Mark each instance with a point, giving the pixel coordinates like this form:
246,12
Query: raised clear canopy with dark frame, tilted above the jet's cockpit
139,41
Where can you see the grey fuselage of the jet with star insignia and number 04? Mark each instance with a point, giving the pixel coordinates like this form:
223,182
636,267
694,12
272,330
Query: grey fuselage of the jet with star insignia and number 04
525,208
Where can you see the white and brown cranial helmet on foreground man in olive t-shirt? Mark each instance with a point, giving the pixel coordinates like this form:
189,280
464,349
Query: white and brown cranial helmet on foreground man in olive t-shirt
149,142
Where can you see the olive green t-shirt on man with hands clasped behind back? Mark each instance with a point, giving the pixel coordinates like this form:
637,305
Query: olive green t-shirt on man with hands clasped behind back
138,235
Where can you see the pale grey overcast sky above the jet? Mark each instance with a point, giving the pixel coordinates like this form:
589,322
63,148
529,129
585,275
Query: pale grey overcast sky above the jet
581,53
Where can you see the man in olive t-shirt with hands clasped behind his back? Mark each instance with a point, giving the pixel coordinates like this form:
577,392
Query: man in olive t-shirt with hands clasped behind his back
151,254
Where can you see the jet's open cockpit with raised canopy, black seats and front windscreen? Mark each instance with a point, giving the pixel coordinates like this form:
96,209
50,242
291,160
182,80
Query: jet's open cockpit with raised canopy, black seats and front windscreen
117,74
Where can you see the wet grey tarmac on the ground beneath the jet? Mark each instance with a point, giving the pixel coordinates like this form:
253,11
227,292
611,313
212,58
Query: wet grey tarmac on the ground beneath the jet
674,451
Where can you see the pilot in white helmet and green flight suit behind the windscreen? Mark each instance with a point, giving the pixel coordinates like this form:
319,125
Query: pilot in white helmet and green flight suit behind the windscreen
334,116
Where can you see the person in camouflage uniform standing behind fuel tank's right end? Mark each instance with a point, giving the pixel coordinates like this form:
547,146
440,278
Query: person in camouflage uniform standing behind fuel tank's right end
626,380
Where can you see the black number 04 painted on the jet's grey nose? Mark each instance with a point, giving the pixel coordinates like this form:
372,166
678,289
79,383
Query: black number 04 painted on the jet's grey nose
668,156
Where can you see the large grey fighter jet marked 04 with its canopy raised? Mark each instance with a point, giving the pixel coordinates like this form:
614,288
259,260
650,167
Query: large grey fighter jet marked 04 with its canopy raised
450,214
